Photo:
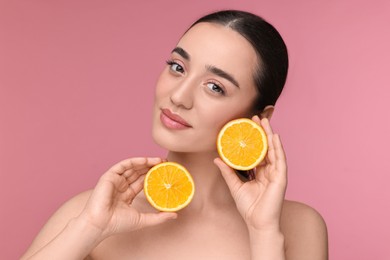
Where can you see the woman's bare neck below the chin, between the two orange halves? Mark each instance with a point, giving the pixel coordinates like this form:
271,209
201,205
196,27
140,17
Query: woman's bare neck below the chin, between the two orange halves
210,187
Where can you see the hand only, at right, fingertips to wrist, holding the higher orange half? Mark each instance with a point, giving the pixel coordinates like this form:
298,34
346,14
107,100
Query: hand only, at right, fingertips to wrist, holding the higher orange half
260,201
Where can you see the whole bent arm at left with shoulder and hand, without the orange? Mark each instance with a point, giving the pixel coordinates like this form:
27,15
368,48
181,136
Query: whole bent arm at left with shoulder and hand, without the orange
86,220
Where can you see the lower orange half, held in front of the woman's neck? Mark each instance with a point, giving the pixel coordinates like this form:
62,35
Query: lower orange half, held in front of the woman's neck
168,186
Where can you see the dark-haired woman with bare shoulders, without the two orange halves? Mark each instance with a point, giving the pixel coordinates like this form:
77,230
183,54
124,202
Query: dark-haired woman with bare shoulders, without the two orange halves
229,64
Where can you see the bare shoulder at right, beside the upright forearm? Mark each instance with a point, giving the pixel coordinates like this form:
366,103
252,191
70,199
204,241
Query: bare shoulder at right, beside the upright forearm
305,232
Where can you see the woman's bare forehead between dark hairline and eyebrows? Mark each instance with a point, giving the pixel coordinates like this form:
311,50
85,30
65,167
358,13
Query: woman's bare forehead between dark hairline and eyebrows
210,44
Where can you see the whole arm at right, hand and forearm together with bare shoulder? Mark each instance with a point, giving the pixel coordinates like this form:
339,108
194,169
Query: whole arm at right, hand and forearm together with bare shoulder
299,234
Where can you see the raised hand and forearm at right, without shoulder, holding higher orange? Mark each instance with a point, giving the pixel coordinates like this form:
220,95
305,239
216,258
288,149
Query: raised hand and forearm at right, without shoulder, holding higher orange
260,201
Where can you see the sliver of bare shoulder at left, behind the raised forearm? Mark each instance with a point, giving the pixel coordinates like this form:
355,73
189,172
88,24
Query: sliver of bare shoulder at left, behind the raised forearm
56,223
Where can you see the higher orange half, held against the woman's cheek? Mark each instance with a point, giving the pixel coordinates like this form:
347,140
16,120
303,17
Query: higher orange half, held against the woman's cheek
242,144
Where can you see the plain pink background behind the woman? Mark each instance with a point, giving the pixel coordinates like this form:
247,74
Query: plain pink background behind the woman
76,89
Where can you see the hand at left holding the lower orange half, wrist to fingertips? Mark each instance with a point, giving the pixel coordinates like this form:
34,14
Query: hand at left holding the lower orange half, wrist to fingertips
109,207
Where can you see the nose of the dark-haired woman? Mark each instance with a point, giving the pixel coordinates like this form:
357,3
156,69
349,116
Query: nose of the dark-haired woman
183,94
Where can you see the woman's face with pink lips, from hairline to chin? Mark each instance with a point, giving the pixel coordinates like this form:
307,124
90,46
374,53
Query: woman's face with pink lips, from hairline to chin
207,82
